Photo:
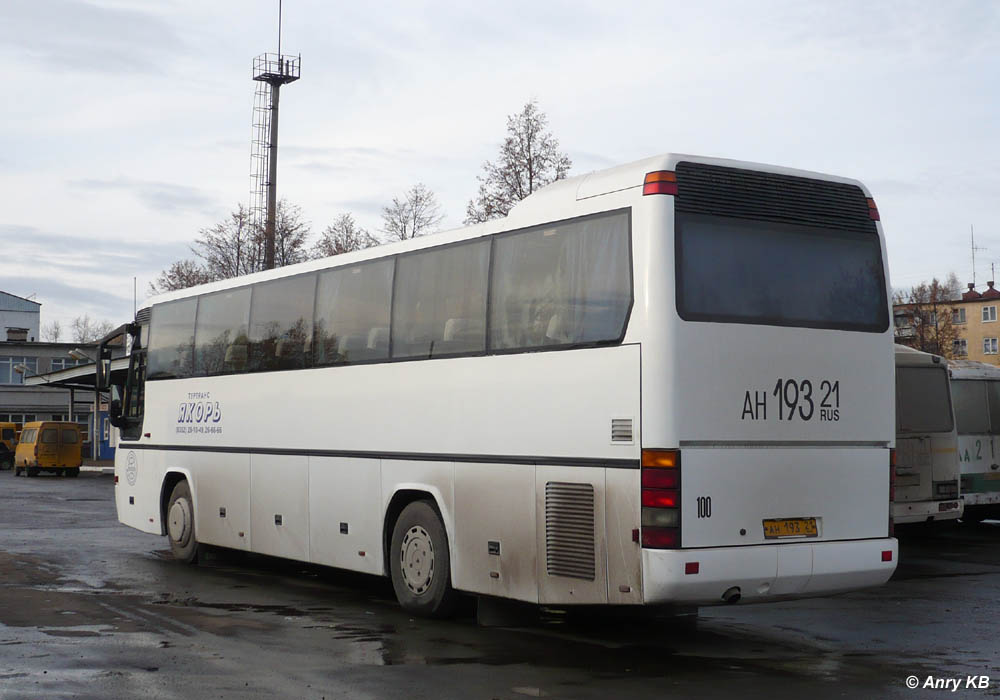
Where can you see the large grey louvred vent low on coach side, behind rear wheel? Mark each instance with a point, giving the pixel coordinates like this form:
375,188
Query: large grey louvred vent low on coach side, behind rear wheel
569,530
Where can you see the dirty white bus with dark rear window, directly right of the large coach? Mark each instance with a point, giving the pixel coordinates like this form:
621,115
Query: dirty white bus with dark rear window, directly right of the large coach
926,487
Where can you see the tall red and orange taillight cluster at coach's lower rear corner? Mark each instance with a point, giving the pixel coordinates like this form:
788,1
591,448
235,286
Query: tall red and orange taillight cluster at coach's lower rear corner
661,499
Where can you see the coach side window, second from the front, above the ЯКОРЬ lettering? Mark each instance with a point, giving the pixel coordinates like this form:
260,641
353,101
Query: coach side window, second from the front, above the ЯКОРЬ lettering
220,335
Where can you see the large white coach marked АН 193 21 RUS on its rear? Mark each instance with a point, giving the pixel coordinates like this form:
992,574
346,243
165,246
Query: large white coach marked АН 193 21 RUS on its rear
667,382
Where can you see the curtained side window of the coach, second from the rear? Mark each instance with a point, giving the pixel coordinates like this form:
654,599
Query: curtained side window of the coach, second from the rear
439,306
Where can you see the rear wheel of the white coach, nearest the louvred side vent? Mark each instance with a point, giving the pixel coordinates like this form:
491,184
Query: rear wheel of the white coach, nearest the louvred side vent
419,562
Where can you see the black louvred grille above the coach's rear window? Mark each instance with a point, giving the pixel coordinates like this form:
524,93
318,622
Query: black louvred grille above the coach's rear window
752,194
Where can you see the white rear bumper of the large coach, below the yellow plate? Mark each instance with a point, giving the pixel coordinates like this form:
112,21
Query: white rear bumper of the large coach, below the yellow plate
763,573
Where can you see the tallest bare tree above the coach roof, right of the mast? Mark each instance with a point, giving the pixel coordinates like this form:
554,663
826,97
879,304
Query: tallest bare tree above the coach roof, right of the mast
529,159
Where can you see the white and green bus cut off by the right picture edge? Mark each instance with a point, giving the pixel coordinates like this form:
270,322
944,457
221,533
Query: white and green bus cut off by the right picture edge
976,388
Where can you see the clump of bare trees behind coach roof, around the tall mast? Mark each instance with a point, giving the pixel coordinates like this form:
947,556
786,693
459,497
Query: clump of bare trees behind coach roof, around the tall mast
235,247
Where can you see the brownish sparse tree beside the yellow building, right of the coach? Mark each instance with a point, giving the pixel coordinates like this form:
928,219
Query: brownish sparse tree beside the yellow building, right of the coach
923,318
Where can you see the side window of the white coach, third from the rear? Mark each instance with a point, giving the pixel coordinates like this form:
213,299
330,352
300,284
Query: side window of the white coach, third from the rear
352,313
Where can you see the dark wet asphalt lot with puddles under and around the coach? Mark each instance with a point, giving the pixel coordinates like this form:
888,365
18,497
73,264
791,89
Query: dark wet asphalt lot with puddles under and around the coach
92,609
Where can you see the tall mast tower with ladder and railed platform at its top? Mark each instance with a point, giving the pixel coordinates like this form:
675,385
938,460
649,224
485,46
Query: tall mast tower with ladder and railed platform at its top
271,71
